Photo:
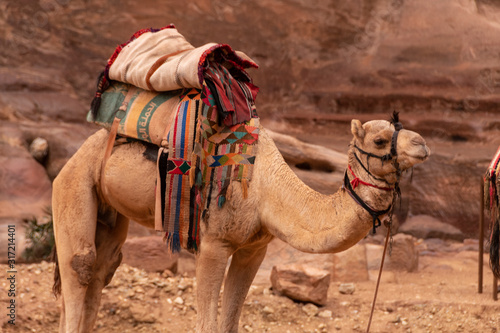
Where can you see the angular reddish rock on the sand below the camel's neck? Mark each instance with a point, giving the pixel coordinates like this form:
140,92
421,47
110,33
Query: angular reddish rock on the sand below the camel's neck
301,282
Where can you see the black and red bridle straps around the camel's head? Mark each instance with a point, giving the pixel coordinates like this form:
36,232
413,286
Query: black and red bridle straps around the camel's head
391,156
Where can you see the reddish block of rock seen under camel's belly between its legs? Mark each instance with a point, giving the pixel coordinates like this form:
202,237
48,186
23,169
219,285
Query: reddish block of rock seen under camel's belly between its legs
149,253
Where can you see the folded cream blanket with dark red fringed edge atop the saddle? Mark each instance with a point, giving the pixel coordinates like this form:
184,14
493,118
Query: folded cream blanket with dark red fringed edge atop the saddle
162,60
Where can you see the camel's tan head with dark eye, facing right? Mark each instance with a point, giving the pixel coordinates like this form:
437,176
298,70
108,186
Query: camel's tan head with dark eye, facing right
379,143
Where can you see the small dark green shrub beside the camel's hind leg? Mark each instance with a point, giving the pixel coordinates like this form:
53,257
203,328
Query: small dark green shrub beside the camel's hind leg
40,238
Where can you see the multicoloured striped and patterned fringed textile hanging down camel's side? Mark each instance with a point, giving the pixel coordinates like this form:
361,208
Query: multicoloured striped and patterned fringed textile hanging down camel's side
204,154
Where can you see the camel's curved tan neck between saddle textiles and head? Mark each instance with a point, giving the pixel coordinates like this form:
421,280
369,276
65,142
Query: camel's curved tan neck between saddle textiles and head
306,219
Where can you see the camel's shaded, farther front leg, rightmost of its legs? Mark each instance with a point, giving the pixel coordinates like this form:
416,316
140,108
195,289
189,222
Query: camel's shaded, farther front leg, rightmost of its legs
244,265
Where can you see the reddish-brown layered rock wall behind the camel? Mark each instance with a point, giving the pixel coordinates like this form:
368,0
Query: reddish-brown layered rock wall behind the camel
321,64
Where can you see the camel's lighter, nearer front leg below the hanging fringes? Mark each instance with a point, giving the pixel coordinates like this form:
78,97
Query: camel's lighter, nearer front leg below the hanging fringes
211,264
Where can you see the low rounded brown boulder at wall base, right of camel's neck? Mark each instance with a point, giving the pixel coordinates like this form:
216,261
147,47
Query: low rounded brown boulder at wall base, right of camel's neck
424,226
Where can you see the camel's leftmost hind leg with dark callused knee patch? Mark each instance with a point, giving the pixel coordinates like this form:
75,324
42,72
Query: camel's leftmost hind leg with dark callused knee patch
75,218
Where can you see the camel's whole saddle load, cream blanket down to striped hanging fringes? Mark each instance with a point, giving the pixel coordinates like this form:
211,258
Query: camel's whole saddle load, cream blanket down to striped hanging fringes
197,105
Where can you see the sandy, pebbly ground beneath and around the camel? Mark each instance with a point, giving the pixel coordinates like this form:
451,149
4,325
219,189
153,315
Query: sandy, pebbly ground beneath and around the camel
442,296
